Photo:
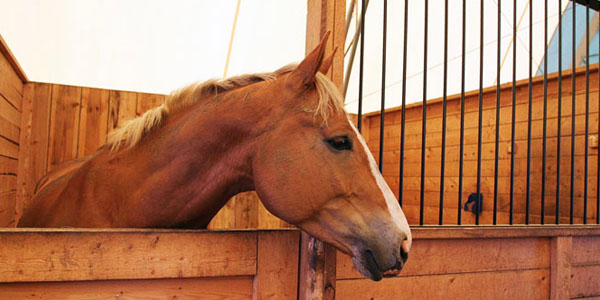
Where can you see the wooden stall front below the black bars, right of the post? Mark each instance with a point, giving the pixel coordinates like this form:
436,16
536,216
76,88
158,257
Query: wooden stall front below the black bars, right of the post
487,263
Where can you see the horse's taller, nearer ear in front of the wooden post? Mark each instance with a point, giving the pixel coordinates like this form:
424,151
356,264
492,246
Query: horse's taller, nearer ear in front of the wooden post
304,74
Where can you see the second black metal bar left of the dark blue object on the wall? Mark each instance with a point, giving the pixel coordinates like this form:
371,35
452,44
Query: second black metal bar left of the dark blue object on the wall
444,96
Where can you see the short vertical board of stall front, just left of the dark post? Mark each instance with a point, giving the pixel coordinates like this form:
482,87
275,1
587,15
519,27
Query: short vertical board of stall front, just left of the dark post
277,273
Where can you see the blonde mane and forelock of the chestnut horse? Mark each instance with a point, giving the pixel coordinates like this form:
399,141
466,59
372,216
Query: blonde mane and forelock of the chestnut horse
130,134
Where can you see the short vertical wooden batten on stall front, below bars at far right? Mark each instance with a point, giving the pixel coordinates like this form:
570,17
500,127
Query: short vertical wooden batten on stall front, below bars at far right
560,268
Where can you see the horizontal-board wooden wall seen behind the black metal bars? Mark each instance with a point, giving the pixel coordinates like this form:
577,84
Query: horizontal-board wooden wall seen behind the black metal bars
412,158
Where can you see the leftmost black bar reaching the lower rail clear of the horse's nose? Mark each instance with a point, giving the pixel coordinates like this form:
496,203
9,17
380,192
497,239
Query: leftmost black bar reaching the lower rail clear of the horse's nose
424,120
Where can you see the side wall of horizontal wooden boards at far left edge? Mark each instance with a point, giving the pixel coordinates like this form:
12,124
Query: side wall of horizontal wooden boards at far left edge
12,80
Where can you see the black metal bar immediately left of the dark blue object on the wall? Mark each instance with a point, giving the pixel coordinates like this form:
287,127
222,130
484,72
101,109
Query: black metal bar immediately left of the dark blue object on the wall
462,116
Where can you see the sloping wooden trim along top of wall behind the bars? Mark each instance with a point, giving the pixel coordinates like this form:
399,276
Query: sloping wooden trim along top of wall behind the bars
566,74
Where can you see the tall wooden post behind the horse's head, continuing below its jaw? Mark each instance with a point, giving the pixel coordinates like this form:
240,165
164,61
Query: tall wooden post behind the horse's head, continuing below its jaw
317,259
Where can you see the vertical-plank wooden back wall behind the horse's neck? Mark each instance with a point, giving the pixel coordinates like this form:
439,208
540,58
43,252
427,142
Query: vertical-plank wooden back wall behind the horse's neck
65,122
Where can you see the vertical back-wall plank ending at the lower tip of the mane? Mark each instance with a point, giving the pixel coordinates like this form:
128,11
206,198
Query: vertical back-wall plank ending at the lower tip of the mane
93,122
